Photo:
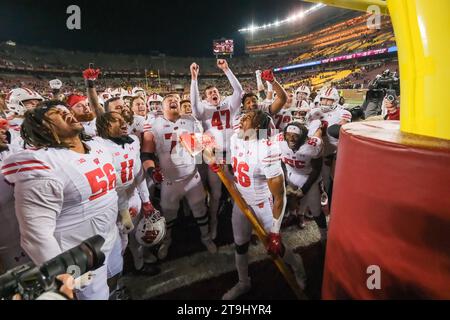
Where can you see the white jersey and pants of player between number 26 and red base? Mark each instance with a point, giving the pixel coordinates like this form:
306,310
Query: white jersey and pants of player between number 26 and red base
298,168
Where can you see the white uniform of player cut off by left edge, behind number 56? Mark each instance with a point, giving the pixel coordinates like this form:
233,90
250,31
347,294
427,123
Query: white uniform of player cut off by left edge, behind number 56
11,253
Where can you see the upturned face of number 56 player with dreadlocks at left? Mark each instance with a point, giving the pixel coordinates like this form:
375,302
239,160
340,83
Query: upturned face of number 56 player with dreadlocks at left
63,122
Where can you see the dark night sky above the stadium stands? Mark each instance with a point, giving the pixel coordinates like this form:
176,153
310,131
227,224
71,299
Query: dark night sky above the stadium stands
174,27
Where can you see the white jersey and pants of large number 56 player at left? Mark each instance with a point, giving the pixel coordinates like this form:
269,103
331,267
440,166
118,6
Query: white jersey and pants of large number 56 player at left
62,198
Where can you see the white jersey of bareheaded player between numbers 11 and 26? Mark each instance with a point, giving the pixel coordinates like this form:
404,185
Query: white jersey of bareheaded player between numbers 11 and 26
175,161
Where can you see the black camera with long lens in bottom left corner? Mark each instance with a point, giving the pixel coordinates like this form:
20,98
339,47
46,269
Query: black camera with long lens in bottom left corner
31,281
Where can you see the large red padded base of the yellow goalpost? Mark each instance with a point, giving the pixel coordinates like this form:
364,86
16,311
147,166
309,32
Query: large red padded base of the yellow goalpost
391,208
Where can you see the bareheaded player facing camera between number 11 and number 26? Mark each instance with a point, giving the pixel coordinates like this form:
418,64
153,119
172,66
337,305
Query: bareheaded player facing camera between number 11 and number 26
181,178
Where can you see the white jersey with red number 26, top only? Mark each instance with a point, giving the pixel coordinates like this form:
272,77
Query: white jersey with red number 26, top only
254,162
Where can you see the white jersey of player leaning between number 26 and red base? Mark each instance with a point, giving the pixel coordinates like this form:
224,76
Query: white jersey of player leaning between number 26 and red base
298,163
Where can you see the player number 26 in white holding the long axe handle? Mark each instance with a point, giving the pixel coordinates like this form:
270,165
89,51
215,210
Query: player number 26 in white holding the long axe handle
260,180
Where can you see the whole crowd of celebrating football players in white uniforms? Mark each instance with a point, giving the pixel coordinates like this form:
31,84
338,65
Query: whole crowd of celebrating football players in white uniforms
77,166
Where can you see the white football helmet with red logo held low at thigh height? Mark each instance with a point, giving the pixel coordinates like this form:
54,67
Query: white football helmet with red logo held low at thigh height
154,227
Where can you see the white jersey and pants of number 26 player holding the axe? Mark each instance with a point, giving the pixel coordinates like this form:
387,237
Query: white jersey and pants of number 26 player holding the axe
254,162
